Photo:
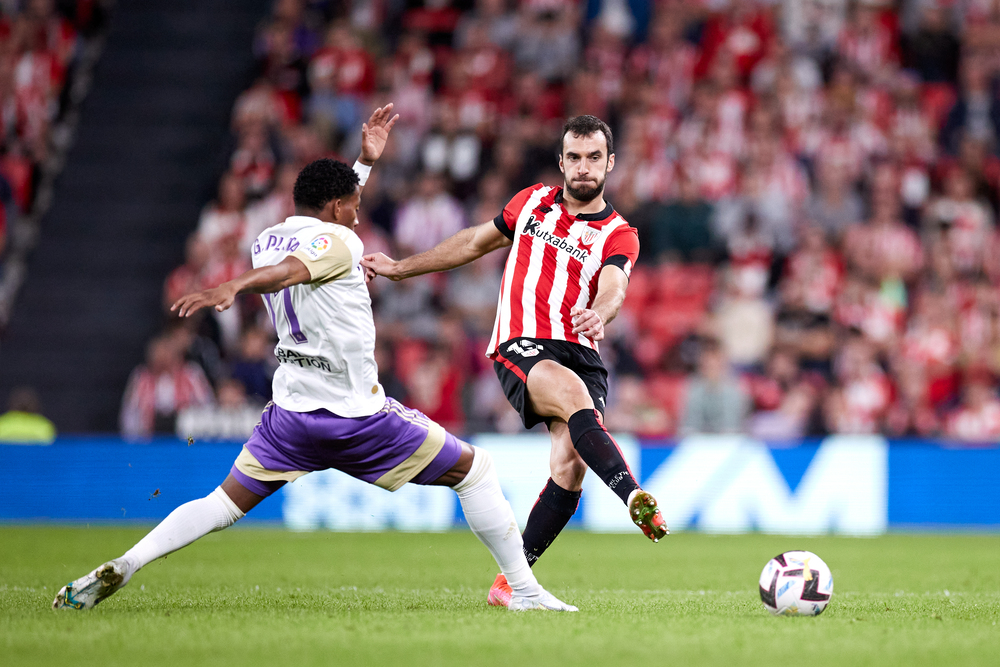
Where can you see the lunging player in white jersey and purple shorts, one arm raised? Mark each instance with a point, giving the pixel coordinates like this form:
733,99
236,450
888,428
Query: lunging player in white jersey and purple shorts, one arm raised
329,410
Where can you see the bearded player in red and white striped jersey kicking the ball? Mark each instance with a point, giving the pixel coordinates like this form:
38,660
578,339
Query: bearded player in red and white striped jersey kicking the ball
565,279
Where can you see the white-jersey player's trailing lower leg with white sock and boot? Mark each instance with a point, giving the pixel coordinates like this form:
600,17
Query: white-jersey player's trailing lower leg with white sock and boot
220,509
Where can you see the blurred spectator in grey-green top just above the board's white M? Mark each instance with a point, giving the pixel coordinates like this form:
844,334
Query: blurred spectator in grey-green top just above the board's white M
715,402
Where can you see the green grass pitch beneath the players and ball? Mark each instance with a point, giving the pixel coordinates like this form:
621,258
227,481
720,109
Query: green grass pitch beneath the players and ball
254,596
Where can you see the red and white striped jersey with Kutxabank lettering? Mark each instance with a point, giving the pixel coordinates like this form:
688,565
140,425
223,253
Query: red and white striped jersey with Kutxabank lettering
554,264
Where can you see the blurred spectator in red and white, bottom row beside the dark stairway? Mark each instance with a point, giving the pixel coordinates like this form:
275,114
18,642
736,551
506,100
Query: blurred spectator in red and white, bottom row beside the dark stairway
160,388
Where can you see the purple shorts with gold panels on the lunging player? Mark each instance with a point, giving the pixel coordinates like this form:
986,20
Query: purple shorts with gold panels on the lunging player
394,446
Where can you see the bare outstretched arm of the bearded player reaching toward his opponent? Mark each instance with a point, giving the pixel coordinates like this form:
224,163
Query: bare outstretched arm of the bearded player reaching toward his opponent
456,250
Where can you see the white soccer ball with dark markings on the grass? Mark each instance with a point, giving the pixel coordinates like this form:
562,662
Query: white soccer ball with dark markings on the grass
796,583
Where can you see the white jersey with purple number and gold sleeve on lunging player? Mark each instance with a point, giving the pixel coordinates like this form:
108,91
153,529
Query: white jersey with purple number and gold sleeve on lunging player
326,334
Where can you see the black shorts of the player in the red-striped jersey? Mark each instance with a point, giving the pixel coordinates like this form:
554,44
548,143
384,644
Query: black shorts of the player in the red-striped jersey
515,359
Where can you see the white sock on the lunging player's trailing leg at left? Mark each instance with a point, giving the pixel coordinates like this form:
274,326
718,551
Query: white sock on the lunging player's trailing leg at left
182,527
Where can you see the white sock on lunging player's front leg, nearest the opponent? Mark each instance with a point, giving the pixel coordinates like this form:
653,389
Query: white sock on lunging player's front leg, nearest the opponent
492,521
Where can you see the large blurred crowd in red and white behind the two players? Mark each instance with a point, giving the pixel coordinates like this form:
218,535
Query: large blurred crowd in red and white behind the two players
814,182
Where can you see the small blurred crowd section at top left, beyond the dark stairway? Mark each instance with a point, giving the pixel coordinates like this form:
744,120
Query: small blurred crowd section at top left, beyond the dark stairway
39,48
